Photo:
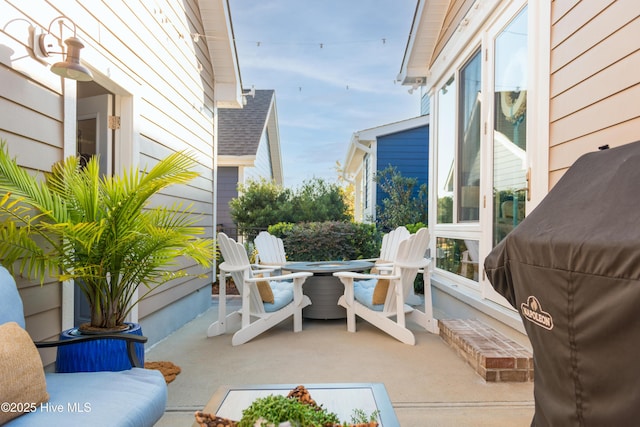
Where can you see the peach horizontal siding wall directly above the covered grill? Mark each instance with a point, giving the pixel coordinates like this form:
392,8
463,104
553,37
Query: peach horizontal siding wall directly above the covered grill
595,84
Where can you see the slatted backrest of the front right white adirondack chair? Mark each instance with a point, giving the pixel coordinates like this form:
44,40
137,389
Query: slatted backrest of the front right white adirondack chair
409,259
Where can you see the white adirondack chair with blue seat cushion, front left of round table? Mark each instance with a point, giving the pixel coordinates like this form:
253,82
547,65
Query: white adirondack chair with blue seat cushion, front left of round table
256,316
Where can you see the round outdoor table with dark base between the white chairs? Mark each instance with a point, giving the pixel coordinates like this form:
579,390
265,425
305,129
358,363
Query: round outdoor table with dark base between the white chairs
323,288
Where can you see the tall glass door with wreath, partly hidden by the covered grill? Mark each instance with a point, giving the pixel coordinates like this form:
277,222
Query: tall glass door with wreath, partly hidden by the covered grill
508,131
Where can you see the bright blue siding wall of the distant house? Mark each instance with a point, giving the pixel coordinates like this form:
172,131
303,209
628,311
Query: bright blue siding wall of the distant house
408,152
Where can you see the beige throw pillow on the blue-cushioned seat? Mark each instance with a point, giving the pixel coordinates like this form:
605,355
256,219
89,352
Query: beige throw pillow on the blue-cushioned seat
21,373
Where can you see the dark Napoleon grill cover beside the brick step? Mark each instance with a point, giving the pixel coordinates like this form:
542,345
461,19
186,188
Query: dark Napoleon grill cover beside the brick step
572,270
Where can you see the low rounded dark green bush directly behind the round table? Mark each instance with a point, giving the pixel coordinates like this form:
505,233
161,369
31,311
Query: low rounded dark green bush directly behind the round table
330,240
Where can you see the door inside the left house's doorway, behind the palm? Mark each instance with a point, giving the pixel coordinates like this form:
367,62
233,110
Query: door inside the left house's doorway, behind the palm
93,138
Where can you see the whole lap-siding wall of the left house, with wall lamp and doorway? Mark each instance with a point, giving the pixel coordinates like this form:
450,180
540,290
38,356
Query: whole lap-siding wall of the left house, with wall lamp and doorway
141,51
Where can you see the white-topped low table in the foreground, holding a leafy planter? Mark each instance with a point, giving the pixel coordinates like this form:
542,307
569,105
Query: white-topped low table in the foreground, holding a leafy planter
340,398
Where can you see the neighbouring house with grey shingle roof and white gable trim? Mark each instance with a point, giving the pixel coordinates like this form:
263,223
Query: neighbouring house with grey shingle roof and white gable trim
248,149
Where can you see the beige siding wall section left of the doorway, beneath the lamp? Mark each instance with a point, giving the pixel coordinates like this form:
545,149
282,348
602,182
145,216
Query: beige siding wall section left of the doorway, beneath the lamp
29,95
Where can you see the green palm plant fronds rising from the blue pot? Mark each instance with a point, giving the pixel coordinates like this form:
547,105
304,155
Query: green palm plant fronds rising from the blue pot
99,231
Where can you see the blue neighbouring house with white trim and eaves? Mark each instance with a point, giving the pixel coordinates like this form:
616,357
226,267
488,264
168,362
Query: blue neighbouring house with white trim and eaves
404,145
